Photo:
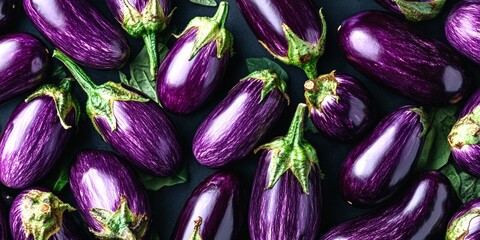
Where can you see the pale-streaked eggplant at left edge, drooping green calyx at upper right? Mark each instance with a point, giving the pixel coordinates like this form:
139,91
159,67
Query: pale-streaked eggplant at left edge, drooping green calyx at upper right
36,134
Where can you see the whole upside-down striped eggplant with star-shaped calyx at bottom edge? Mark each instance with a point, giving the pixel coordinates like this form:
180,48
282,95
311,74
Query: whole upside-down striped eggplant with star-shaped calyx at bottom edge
109,196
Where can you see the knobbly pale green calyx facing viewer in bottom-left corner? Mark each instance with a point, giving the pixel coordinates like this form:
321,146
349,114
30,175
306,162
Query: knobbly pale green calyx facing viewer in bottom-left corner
42,214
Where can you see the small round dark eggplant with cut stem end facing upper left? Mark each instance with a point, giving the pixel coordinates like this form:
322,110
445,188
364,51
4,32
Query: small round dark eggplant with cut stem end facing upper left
339,106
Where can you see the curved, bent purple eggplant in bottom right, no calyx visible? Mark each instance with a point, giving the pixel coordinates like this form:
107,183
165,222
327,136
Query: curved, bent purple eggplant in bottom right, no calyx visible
422,213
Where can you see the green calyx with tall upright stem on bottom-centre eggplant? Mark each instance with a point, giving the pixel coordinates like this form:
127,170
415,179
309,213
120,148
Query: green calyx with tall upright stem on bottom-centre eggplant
291,152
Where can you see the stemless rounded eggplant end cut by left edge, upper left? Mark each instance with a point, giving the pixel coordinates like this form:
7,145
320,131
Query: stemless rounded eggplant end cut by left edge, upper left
24,64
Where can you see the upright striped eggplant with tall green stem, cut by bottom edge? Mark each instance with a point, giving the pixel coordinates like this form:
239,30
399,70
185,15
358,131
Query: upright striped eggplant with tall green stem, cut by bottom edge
286,199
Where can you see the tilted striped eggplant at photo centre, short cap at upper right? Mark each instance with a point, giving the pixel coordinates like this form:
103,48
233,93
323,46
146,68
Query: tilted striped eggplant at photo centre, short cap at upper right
237,123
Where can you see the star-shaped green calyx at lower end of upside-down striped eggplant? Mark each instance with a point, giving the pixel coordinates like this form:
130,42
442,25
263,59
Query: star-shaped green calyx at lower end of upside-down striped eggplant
121,224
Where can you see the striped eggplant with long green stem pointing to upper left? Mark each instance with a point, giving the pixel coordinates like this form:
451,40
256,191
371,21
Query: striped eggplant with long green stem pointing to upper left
134,125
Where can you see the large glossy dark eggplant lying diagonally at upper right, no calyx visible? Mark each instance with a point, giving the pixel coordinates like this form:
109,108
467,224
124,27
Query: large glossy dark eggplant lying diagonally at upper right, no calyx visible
390,51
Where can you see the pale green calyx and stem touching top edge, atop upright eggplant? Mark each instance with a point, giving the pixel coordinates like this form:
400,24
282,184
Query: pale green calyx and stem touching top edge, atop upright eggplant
211,29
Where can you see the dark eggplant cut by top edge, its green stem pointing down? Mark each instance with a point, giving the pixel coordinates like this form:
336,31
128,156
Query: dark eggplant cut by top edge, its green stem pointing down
294,40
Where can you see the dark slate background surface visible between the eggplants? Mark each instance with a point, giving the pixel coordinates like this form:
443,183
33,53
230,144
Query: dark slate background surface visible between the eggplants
167,202
